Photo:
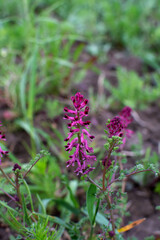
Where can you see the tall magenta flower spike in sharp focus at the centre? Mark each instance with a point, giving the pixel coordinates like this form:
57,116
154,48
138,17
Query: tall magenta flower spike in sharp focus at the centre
78,131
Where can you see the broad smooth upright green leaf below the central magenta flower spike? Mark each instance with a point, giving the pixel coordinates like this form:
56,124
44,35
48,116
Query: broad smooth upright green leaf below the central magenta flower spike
90,200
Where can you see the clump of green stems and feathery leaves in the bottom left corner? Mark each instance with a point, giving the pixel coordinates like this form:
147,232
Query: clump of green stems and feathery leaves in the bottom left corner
23,218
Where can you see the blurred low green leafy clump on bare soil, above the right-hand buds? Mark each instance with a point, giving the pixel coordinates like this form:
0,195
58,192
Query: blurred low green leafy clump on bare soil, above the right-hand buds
131,90
